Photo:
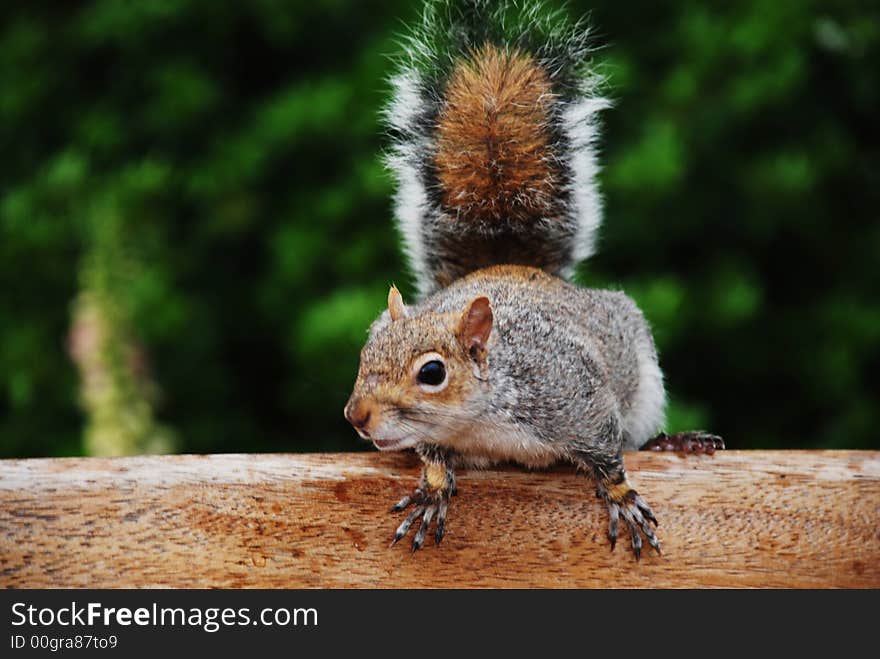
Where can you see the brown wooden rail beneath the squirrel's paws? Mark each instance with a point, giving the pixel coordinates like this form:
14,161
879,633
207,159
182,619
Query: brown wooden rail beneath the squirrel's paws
737,519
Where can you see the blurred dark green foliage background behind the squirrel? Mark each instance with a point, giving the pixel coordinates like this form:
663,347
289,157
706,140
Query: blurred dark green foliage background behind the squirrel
195,225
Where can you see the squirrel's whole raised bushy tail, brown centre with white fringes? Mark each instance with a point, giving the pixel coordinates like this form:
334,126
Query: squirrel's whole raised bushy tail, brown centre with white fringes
494,119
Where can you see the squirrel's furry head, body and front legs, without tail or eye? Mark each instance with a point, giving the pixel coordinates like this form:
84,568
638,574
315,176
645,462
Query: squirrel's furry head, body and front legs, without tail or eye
566,374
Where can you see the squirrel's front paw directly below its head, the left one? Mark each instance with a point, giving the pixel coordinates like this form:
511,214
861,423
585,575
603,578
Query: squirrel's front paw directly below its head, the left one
431,501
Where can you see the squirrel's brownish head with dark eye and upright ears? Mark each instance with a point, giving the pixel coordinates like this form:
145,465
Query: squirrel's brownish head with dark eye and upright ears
421,374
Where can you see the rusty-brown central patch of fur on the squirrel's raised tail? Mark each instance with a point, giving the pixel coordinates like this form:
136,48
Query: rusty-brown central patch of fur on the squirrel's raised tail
493,153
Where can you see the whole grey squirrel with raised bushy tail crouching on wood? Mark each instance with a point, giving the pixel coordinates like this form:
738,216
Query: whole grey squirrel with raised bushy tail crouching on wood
494,119
